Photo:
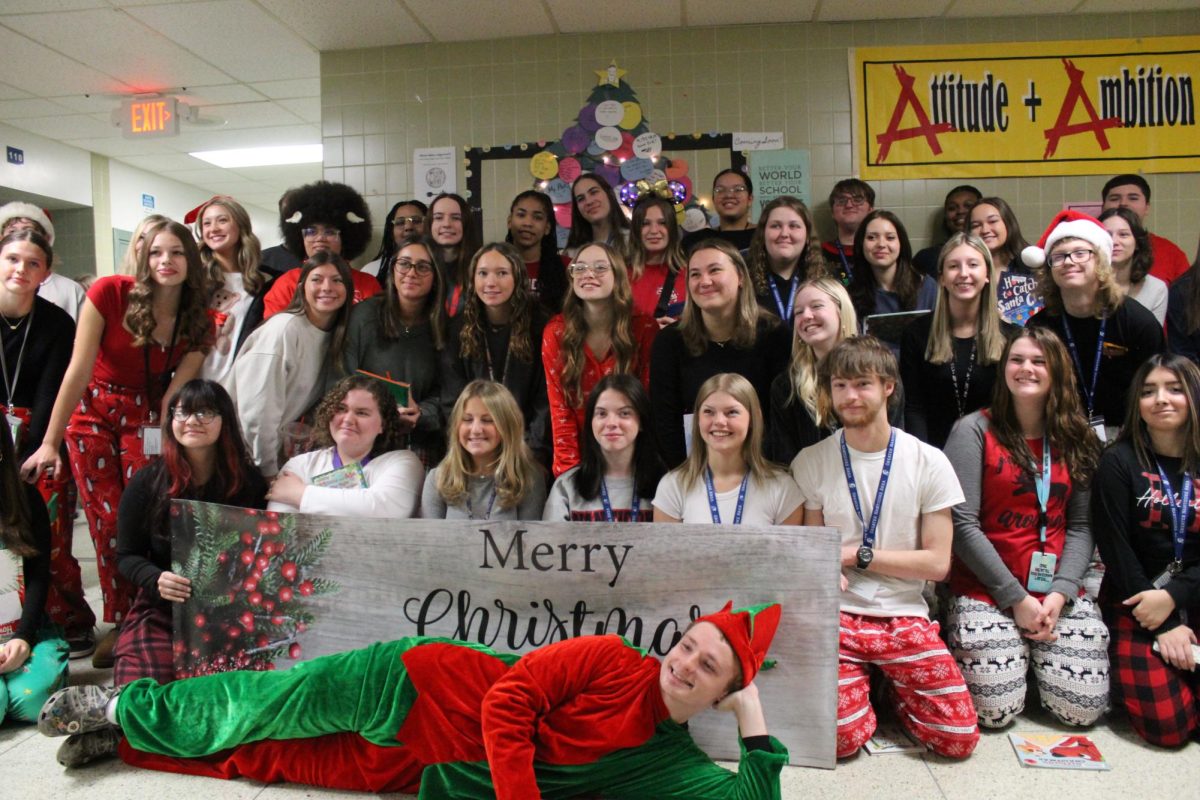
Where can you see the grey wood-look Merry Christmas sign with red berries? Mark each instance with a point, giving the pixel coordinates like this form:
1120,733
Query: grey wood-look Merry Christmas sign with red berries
272,590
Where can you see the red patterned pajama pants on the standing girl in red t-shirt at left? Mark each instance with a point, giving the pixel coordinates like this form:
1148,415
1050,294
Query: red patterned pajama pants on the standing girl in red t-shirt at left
105,444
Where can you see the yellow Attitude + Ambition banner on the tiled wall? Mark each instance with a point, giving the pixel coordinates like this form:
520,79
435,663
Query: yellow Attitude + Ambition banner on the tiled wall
1031,109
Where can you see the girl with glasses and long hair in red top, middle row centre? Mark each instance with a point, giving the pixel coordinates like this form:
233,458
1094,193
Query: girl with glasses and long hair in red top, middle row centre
596,335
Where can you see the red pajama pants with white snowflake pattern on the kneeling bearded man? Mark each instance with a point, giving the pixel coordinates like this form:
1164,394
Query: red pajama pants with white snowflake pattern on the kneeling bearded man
931,696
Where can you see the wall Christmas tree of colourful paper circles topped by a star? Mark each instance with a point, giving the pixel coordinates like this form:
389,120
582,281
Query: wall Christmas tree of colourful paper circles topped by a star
611,137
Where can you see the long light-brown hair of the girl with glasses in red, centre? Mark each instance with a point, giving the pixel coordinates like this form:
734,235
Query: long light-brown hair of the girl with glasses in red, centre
575,327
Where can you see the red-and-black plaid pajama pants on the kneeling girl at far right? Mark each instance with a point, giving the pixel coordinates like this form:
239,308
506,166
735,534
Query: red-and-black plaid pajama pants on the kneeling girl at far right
1163,702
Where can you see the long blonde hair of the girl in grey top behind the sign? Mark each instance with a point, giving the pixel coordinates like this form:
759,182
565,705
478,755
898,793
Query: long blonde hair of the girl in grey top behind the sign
515,470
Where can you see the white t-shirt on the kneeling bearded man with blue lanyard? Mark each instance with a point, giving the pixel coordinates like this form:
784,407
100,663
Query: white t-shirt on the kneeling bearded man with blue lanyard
922,482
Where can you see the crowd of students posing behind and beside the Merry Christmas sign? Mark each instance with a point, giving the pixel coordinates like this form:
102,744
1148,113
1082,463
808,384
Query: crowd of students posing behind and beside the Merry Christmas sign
759,364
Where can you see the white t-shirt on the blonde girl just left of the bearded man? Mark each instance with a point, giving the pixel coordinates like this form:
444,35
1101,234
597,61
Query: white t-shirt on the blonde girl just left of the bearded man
767,503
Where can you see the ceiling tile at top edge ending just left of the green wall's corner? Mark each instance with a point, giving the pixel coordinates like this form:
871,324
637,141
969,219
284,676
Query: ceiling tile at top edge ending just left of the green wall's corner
238,35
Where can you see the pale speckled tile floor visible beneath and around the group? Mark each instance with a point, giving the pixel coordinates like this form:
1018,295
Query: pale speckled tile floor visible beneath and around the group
31,772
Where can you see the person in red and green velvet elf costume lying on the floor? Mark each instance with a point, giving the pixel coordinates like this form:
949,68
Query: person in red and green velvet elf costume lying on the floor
447,719
